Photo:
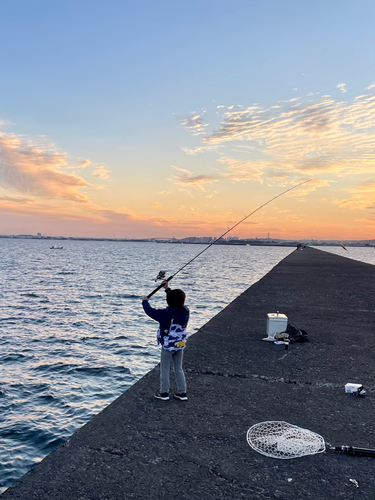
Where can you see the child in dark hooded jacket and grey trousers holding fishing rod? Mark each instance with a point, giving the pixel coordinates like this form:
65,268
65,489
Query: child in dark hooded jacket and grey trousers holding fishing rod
171,336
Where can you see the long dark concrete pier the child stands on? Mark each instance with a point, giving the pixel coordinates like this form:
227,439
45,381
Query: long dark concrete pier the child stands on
143,448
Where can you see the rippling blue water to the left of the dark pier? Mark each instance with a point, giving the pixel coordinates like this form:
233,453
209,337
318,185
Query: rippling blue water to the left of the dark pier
74,335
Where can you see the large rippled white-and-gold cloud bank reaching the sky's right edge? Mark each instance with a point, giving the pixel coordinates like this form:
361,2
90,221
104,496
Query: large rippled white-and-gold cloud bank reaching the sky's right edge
323,138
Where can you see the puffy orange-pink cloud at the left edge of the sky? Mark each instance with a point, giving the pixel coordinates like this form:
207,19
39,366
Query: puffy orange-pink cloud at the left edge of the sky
33,167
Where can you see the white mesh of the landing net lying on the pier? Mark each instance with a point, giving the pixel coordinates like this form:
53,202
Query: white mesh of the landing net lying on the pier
283,440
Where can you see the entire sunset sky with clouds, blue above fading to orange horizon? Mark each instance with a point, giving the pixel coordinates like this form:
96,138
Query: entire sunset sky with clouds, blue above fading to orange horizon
172,119
